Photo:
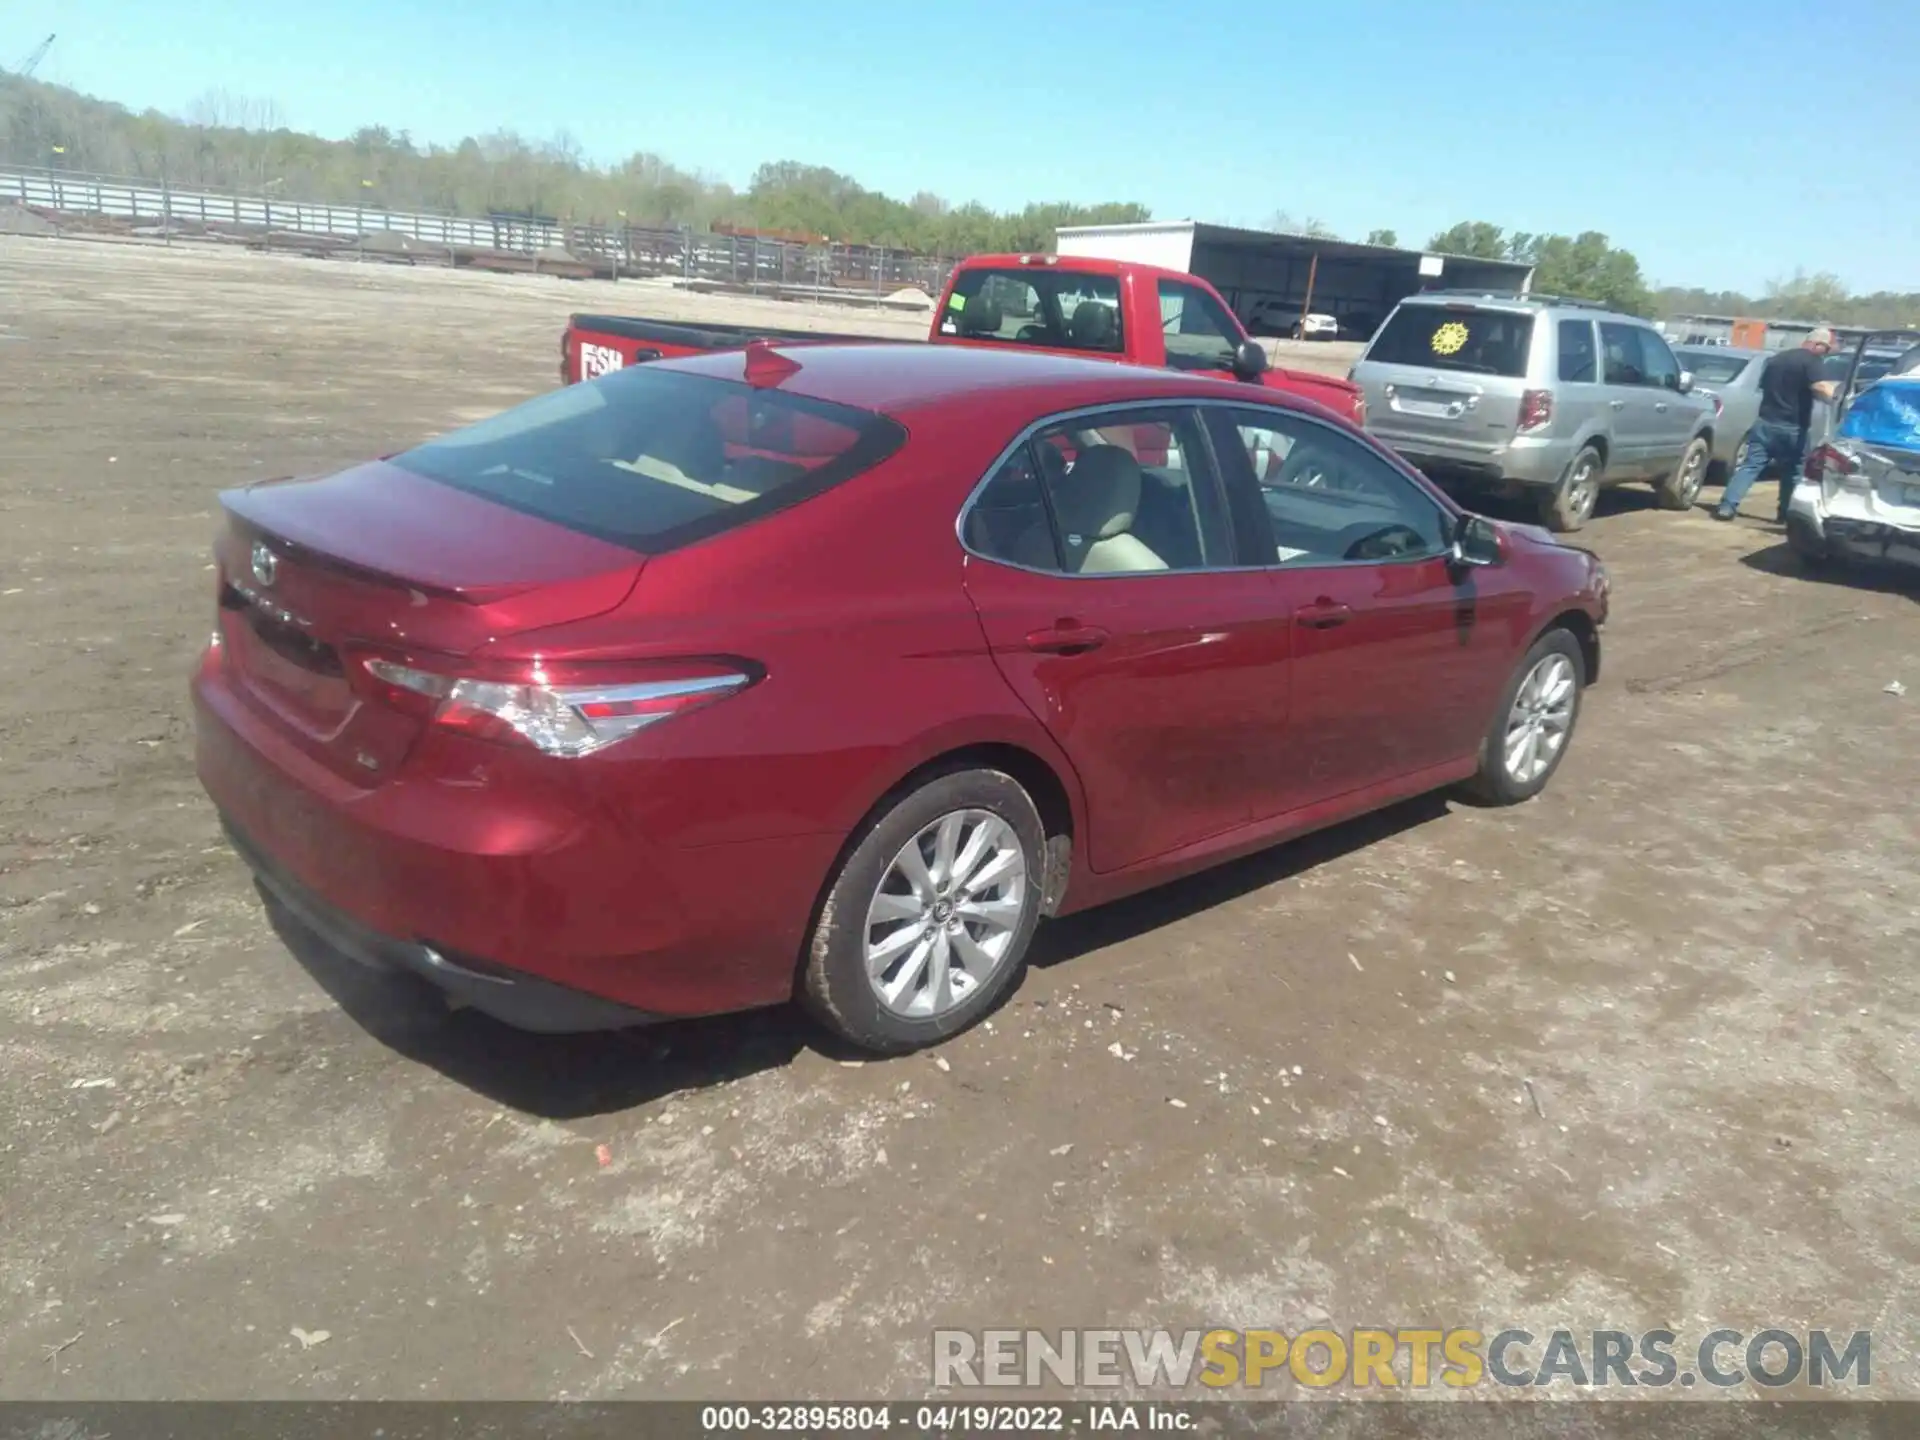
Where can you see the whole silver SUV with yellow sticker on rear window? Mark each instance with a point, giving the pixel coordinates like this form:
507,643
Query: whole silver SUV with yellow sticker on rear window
1537,395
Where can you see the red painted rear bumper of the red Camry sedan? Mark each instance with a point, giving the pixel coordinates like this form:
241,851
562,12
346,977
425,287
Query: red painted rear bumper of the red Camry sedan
517,884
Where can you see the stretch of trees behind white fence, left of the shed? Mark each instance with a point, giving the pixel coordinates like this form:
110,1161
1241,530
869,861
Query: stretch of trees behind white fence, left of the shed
235,143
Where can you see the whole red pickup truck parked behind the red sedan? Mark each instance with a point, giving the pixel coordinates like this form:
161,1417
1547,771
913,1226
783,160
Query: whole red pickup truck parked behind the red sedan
1097,308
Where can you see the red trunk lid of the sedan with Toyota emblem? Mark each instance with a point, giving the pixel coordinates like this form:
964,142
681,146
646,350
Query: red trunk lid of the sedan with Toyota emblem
320,575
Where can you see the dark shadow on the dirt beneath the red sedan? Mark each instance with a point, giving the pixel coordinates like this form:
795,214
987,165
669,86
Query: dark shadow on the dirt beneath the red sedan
577,1076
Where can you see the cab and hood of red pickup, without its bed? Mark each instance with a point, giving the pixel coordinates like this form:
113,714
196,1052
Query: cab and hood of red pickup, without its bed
1122,312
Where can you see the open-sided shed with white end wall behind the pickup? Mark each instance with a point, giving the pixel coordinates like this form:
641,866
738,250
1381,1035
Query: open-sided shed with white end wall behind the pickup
1291,274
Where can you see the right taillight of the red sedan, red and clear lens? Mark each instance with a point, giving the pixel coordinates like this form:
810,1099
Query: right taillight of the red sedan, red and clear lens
565,711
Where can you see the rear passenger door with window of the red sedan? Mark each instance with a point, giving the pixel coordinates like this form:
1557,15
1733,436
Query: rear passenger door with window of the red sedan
1109,596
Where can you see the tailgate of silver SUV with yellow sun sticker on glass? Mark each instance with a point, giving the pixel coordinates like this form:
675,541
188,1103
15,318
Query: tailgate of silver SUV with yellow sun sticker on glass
1447,379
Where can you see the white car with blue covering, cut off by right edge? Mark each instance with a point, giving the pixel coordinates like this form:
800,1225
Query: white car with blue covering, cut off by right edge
1861,489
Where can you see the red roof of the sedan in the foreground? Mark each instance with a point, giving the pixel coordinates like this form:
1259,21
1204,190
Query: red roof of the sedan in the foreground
903,377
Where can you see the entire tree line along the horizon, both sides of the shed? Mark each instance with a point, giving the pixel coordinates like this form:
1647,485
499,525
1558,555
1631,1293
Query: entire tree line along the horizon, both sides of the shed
237,143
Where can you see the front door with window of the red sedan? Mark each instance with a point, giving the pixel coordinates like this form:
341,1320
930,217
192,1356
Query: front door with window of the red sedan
1399,661
